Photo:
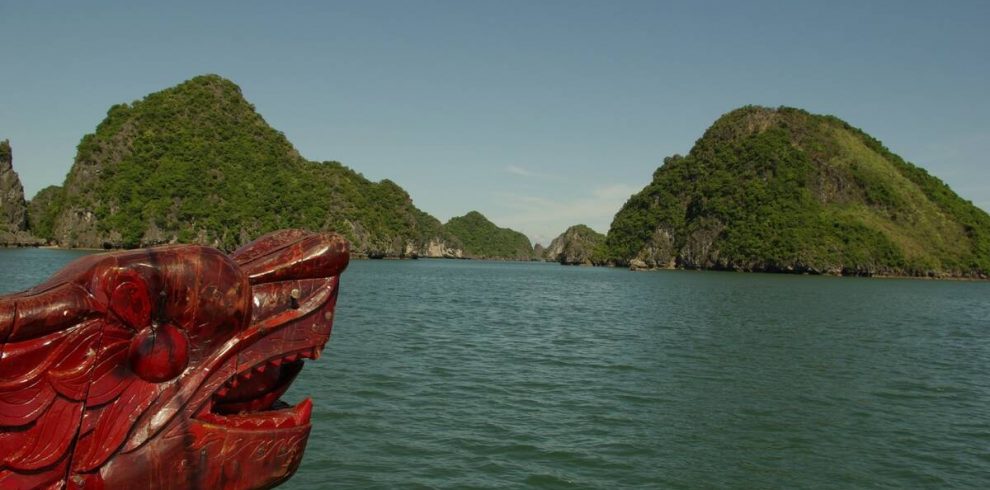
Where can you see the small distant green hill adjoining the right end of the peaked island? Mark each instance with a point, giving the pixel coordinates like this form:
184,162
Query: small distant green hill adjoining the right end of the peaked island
483,239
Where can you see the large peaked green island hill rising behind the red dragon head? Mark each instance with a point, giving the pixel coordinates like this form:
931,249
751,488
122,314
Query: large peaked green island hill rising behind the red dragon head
196,163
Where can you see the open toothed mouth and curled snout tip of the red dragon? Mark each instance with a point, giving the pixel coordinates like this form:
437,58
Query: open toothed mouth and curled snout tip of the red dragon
294,287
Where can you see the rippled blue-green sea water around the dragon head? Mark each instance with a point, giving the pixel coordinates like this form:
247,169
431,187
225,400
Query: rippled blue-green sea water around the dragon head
469,374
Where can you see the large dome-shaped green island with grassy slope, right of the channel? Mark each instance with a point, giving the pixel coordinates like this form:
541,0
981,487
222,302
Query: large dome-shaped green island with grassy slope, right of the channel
785,190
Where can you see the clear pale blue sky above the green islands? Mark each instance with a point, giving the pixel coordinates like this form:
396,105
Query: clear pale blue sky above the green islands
538,114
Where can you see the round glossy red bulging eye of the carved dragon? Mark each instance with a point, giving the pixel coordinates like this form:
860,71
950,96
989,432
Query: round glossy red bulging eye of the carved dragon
159,353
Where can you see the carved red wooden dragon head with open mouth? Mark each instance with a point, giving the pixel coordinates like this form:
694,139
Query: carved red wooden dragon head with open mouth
163,367
